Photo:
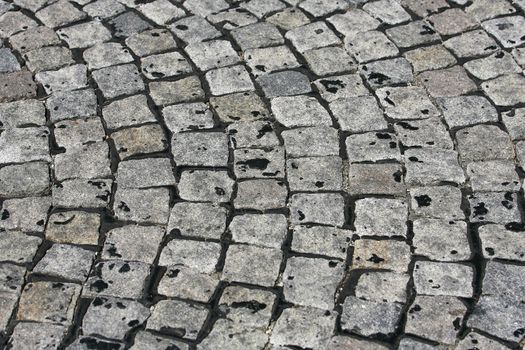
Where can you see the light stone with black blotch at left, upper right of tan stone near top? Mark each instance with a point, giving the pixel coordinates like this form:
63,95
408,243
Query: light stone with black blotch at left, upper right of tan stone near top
194,29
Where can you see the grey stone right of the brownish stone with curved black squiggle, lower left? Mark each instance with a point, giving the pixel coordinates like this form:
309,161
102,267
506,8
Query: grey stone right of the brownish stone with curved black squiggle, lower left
133,243
